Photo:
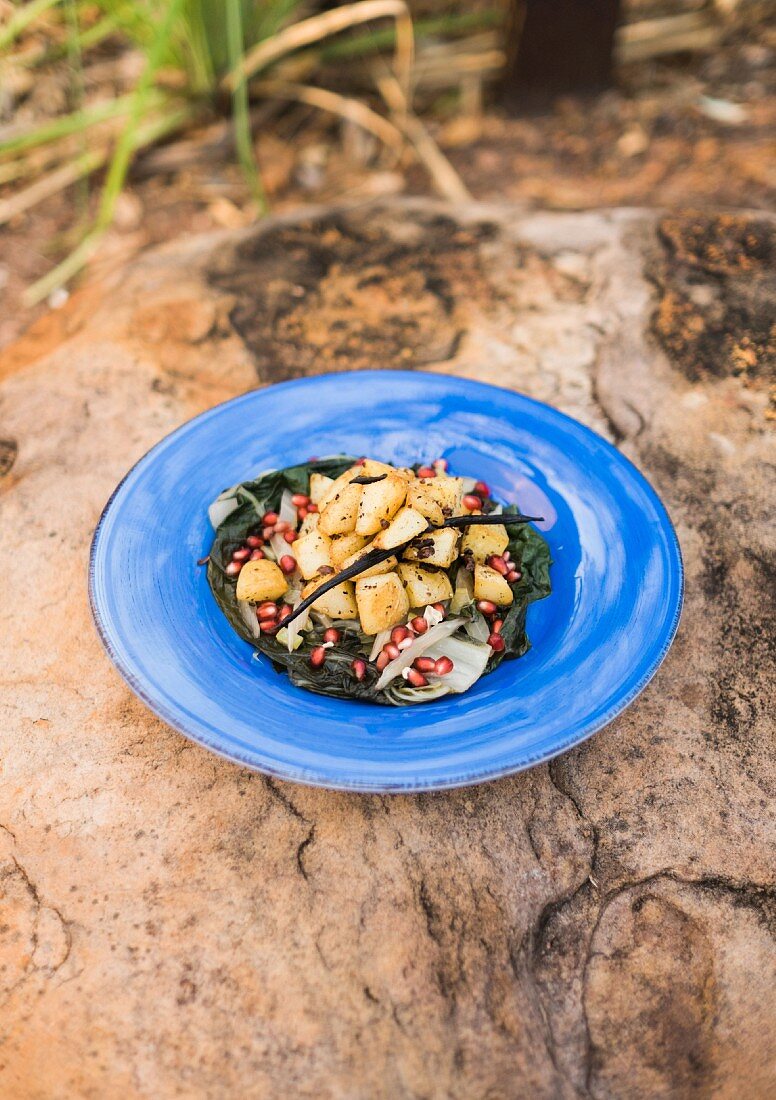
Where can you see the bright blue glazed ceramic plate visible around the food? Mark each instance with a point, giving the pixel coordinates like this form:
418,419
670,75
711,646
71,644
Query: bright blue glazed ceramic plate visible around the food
597,641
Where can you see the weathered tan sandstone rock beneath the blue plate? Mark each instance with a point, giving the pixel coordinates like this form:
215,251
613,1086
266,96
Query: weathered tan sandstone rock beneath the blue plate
172,926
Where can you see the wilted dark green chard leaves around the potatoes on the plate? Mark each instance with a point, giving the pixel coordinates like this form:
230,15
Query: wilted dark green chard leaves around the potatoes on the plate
335,677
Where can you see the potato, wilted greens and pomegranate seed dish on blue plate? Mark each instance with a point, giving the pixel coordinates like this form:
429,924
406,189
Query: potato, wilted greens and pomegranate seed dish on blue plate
364,580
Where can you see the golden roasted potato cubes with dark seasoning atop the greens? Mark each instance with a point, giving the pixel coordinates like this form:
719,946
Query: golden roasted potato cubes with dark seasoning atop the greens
354,520
